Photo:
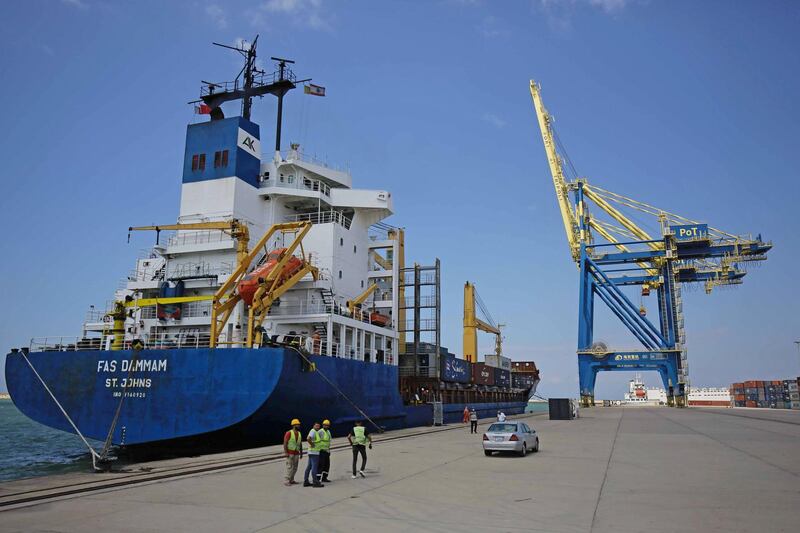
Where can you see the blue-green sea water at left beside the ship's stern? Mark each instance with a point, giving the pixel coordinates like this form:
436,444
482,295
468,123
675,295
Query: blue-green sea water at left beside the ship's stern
29,449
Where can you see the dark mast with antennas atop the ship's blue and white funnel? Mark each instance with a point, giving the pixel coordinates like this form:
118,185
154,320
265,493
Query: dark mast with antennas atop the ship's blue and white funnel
250,82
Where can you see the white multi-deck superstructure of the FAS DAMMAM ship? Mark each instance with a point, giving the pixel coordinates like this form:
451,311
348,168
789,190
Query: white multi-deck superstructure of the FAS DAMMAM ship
347,243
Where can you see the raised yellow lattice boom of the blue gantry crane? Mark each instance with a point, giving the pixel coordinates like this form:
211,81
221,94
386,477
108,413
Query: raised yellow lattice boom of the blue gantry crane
571,227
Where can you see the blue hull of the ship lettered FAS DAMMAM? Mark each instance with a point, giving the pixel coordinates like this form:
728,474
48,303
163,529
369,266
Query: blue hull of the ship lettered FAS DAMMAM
233,397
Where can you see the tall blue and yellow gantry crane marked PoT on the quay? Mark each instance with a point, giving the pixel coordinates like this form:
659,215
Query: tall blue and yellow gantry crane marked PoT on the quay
625,255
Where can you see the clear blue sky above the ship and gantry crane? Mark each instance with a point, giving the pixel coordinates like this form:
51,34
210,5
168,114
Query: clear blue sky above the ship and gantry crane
690,106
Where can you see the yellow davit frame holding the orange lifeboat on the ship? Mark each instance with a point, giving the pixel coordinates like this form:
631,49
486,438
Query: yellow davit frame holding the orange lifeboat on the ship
270,287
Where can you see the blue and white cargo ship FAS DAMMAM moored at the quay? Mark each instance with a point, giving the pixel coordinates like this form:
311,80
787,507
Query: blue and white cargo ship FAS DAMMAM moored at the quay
280,292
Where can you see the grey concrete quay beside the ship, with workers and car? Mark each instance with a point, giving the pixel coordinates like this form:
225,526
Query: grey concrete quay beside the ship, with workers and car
614,469
